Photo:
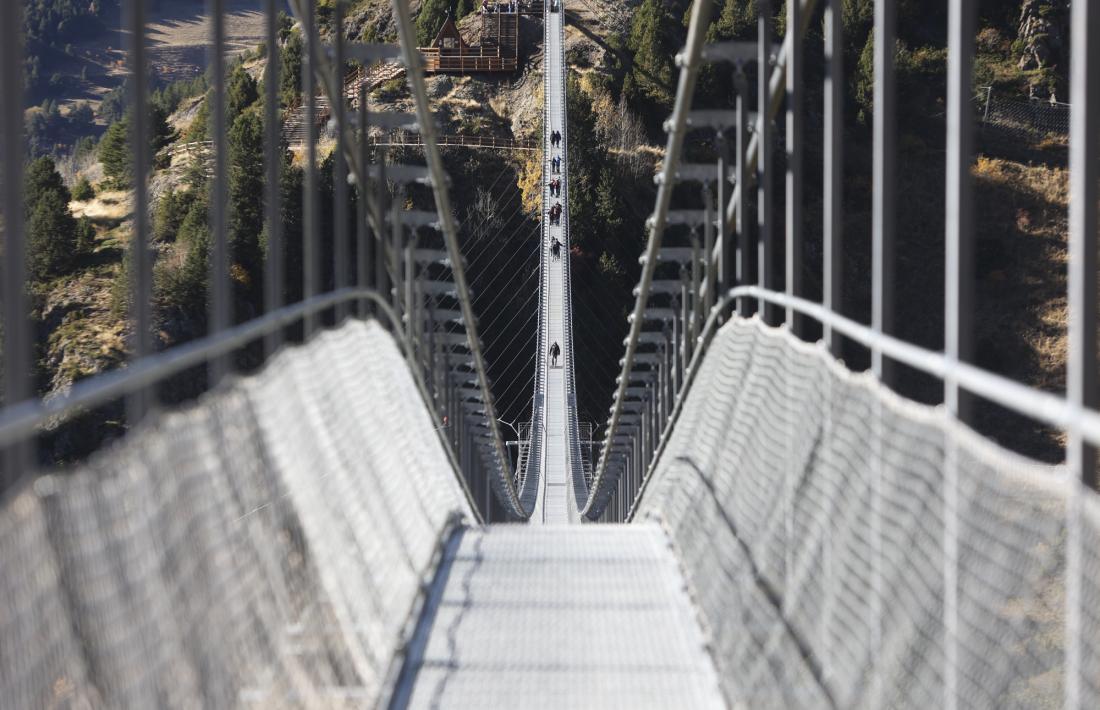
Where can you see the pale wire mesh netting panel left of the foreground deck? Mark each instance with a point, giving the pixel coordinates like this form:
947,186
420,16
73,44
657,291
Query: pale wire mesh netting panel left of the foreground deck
265,549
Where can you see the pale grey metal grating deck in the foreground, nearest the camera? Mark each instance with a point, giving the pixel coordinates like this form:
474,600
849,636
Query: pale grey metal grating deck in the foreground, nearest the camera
560,617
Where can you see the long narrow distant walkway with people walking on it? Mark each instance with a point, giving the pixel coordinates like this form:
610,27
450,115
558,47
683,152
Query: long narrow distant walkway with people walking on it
555,399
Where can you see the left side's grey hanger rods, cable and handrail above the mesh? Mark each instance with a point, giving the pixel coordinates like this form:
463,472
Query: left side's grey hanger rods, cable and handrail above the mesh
386,261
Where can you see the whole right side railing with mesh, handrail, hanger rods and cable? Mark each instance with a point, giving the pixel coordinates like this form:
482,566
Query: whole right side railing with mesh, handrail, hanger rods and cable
884,553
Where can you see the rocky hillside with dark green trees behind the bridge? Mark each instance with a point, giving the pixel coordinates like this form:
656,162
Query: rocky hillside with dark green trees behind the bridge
620,93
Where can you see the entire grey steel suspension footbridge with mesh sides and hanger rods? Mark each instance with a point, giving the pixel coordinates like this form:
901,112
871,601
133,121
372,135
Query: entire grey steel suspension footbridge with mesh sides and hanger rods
764,528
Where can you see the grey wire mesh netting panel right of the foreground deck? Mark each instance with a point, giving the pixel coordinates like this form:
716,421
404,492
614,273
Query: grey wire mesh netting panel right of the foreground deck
817,516
